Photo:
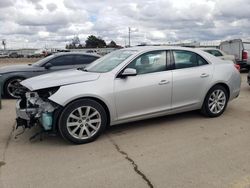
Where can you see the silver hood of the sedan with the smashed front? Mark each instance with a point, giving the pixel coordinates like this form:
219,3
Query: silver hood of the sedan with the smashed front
59,78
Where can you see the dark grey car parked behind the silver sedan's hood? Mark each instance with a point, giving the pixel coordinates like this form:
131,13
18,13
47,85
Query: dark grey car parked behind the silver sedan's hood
11,76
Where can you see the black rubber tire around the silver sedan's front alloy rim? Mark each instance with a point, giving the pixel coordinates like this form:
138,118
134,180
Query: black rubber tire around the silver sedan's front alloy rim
66,131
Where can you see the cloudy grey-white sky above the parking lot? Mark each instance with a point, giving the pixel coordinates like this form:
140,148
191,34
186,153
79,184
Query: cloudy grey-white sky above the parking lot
53,23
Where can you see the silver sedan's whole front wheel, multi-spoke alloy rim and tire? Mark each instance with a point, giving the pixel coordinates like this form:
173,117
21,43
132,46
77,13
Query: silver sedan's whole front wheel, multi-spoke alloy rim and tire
82,121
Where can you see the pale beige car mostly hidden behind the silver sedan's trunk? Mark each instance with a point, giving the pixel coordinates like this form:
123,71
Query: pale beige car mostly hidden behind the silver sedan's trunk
222,55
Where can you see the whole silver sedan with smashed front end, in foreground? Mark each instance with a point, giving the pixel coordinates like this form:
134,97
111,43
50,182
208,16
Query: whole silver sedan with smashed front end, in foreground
127,85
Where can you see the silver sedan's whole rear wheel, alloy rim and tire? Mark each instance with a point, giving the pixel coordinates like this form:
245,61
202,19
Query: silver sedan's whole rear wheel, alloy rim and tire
215,102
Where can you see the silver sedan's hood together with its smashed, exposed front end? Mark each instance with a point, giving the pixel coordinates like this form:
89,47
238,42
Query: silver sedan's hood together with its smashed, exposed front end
35,106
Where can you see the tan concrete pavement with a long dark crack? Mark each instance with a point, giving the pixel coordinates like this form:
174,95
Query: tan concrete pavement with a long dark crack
184,150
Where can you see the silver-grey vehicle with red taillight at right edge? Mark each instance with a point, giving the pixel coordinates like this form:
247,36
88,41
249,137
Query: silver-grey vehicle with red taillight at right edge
240,49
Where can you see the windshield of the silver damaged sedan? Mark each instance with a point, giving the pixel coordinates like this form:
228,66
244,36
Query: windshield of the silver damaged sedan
110,61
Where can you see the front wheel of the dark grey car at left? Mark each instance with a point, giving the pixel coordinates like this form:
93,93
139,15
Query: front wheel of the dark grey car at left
12,87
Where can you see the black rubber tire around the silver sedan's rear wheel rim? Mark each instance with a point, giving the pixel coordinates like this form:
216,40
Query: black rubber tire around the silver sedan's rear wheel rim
205,110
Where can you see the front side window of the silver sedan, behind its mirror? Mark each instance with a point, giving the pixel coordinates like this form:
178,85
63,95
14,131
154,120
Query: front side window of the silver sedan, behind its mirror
149,62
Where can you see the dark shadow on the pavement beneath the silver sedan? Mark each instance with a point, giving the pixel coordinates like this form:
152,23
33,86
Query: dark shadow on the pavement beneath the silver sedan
116,130
